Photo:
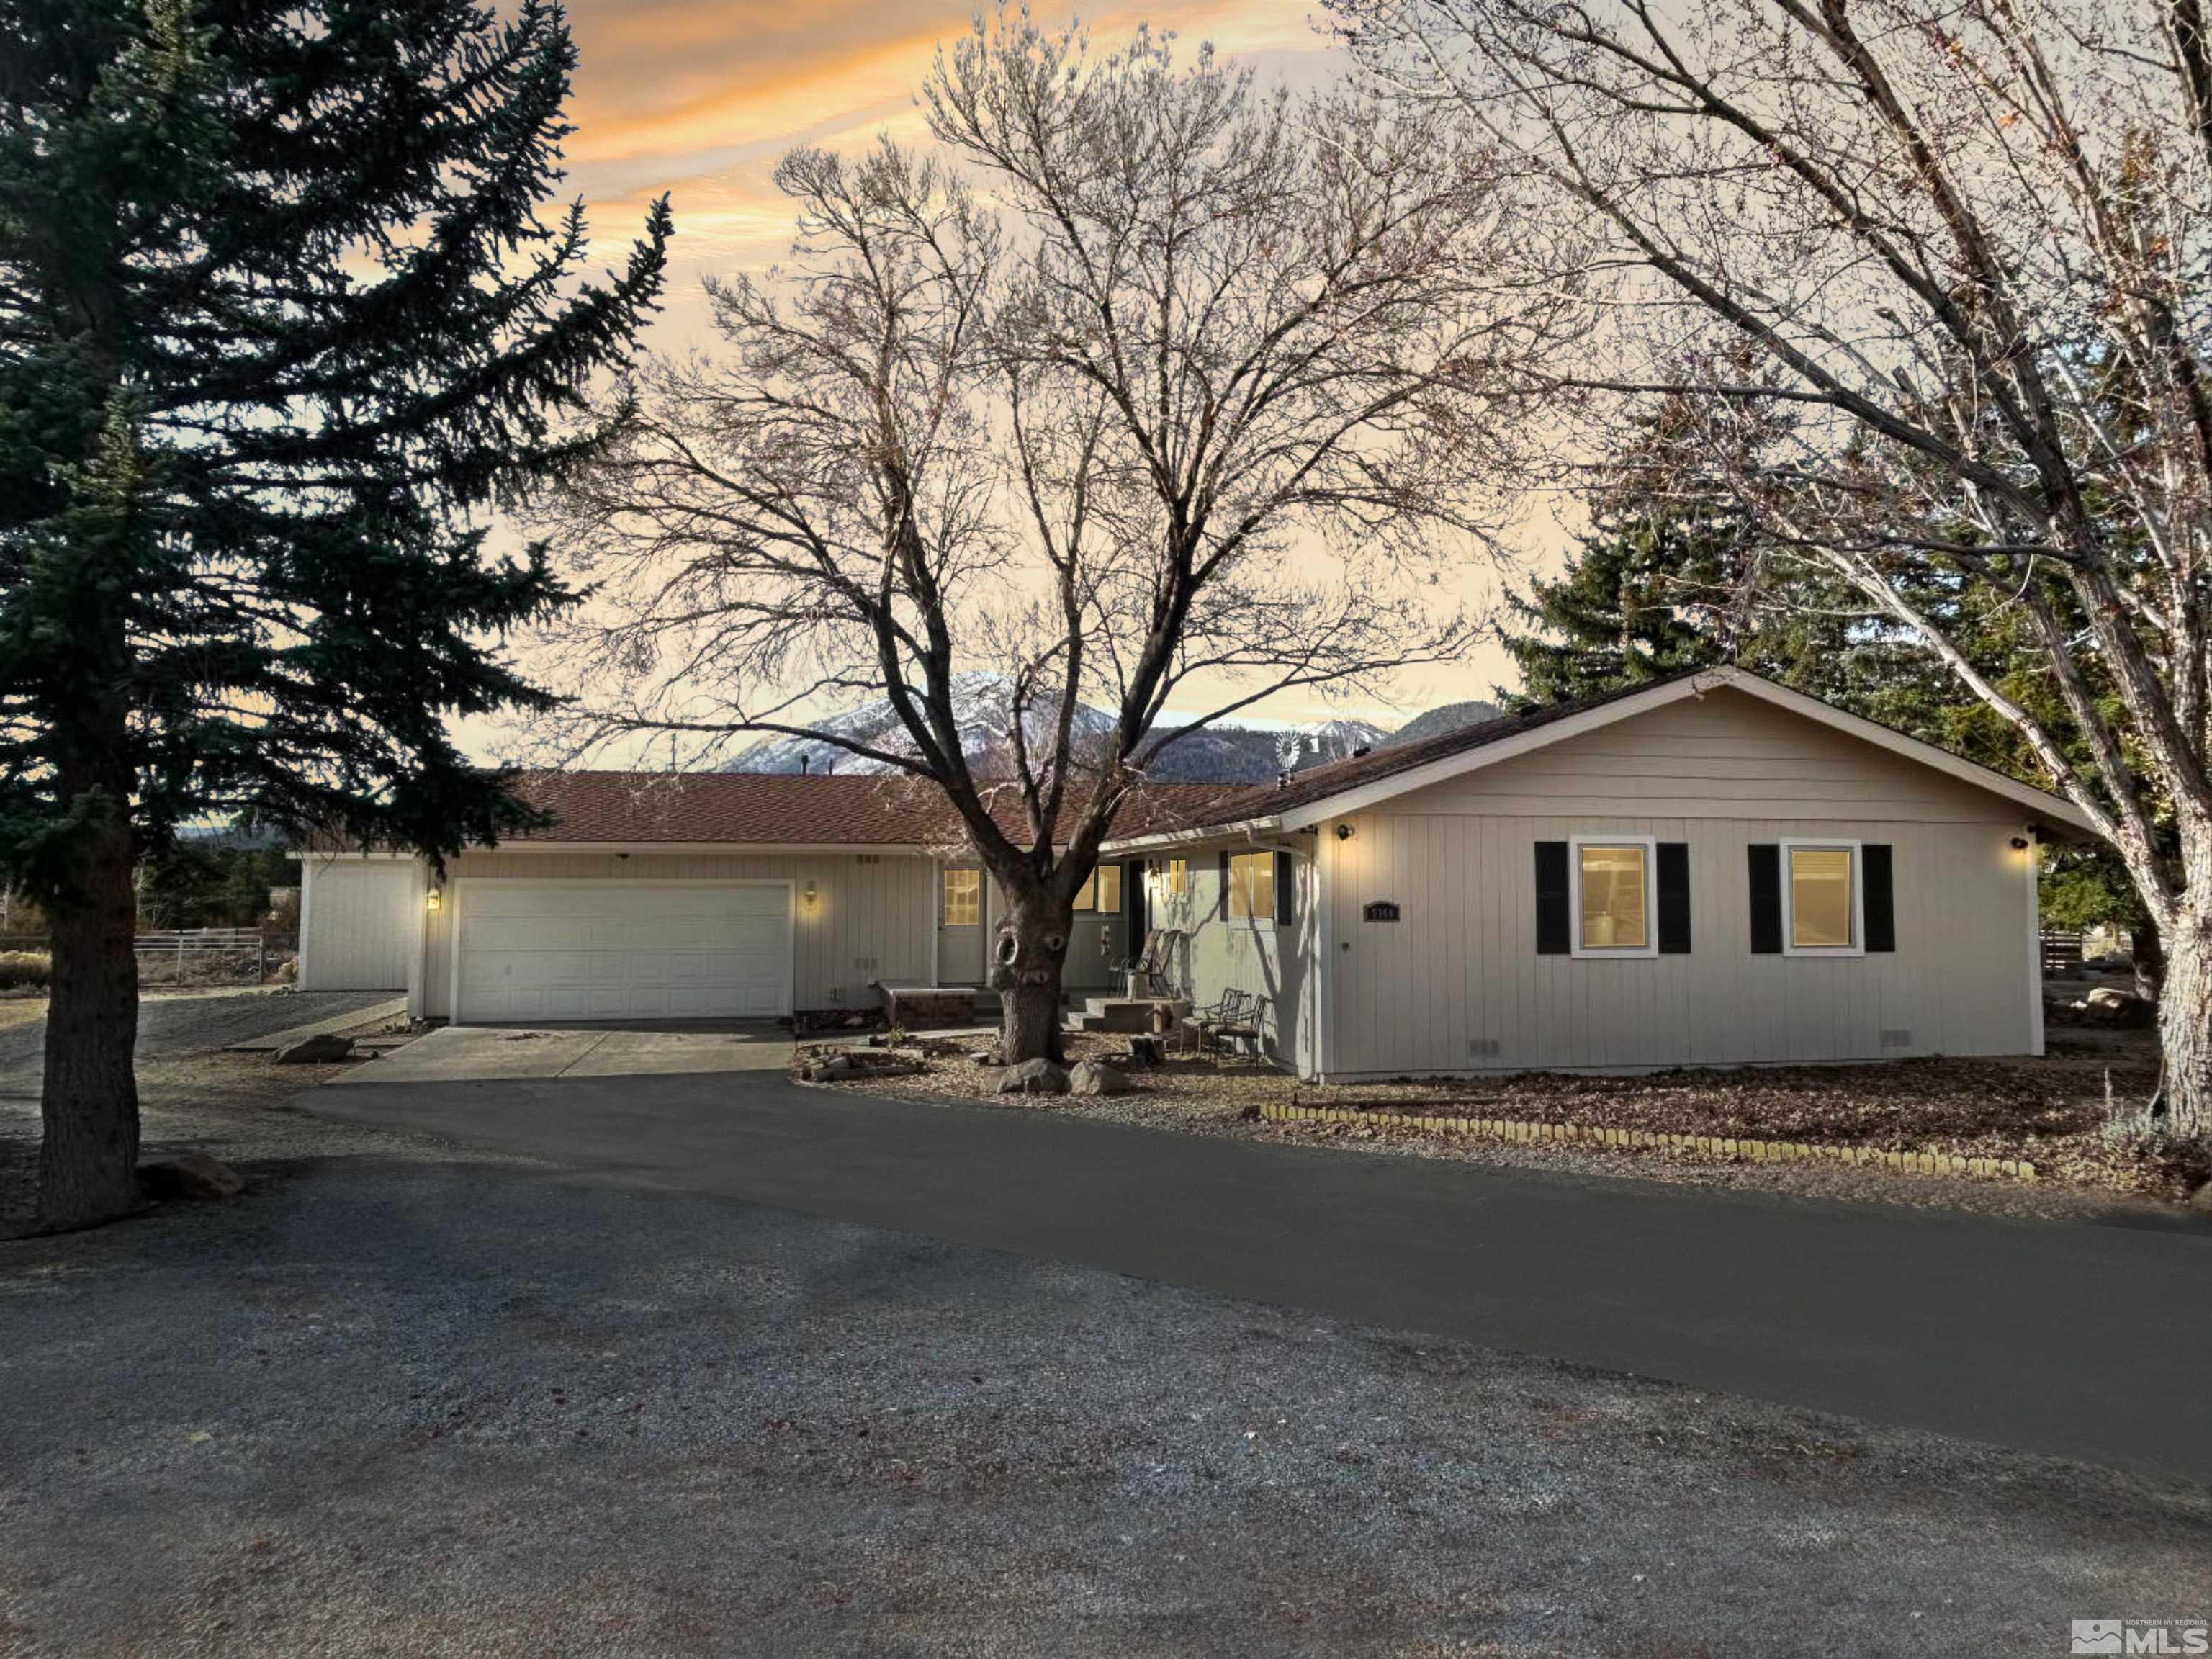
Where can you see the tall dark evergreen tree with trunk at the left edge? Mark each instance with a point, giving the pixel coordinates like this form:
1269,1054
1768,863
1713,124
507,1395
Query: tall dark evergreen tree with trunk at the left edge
278,320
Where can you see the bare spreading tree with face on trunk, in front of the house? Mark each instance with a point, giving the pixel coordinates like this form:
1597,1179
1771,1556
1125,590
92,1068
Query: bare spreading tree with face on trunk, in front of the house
1140,382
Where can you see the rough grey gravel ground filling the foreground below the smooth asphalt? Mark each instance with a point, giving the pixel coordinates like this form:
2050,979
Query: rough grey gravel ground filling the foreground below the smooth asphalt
410,1399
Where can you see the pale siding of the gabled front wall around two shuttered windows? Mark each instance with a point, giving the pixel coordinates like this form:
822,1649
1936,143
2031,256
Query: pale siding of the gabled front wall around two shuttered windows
1459,974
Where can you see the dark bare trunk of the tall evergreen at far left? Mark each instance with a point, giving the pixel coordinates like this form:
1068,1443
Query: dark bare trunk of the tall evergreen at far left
87,1167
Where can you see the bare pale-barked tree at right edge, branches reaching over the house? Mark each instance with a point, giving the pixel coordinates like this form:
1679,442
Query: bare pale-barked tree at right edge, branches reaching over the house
1965,247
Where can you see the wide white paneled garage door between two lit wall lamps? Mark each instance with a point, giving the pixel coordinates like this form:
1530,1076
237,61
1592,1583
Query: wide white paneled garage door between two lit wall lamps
623,952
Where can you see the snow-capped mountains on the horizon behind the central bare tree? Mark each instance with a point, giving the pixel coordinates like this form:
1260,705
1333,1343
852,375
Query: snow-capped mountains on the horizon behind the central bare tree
1211,755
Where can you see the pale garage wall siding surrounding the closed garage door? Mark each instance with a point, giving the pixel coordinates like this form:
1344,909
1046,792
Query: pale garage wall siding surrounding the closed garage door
868,921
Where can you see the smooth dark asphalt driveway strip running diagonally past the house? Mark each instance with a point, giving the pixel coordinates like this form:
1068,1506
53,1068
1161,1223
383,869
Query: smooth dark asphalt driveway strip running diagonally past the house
2069,1339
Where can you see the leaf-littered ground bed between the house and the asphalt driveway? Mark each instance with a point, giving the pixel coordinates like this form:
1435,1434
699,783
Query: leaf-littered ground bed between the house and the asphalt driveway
2049,1112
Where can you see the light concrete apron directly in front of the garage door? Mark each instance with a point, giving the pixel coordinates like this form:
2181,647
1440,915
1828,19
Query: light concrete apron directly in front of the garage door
494,1054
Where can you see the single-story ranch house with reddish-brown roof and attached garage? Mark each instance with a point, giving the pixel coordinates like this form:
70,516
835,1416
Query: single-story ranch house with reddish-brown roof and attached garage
1702,870
